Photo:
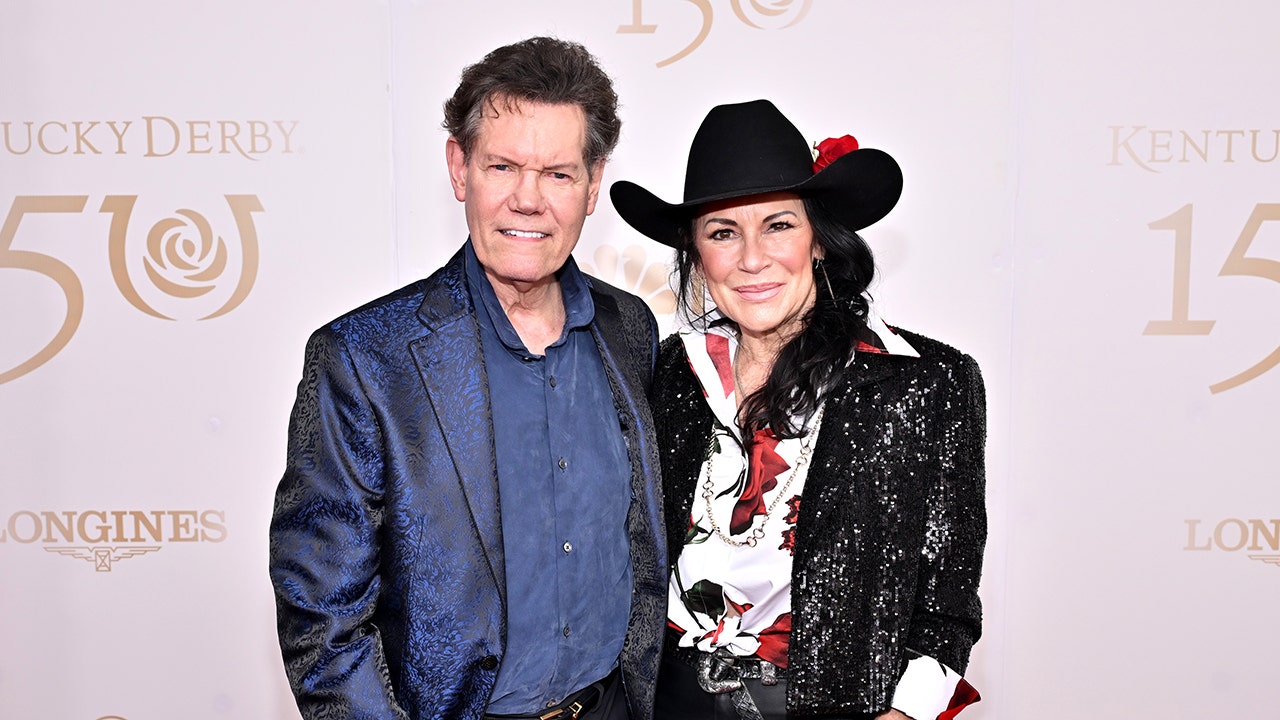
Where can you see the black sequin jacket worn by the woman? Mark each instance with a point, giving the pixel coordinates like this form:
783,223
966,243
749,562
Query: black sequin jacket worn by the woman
893,522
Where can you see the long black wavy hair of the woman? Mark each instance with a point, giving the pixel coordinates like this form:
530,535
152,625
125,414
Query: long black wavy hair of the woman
812,362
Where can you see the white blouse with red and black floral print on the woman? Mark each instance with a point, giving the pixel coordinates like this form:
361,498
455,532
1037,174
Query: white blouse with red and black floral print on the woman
737,594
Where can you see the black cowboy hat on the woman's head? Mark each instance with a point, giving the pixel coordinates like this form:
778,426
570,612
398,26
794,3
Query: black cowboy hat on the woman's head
752,149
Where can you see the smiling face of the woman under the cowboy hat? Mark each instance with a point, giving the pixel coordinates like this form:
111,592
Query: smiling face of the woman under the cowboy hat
757,256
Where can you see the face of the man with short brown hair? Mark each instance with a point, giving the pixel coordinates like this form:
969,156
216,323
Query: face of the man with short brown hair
527,190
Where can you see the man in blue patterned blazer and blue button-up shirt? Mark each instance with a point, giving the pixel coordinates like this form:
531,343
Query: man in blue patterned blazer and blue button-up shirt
469,521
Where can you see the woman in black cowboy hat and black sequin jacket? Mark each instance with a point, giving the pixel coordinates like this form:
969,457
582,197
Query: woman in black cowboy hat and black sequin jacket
824,473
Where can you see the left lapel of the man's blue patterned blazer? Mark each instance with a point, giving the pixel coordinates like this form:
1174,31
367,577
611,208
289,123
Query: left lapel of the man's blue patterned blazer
451,362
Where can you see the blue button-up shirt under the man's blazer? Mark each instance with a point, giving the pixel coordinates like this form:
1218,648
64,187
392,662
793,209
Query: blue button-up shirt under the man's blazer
564,479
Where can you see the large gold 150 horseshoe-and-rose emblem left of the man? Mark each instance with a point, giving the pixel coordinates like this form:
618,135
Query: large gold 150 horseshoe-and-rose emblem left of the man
185,266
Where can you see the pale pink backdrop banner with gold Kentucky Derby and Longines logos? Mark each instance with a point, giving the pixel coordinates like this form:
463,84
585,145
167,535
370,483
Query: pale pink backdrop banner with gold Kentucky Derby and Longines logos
1092,211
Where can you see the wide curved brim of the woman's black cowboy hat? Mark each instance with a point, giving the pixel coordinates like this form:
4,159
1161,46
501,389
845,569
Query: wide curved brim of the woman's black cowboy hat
860,189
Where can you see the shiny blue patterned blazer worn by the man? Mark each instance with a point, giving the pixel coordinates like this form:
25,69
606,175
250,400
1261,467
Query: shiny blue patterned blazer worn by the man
386,545
